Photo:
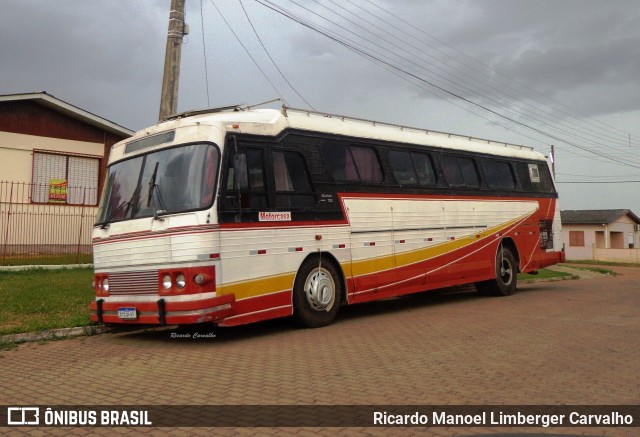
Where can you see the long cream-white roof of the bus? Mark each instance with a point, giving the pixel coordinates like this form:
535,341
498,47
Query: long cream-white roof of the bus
271,122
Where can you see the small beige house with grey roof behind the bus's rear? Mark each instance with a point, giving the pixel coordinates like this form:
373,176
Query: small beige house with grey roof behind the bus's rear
604,234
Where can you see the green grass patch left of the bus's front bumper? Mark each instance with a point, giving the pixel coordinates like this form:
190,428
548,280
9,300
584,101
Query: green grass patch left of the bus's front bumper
36,300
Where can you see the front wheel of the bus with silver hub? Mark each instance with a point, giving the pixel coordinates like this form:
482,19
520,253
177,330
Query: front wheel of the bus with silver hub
317,293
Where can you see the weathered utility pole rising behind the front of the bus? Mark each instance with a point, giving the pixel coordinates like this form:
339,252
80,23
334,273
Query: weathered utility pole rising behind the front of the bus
171,78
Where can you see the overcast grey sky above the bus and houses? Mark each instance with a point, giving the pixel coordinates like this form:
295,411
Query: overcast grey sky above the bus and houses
536,73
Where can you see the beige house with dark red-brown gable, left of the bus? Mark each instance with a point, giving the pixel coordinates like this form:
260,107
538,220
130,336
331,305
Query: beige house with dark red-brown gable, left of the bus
53,158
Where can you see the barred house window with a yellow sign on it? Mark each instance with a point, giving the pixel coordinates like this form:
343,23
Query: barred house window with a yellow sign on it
65,179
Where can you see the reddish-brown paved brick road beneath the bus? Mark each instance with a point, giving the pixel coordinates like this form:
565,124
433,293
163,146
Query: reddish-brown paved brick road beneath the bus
566,342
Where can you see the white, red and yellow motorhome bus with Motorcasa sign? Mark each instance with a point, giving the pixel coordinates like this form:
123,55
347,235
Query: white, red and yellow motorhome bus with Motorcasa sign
233,216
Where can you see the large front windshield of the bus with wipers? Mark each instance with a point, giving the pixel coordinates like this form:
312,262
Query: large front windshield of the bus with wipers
167,181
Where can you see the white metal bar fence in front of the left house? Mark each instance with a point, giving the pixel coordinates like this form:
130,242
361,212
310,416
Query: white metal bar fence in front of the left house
52,232
